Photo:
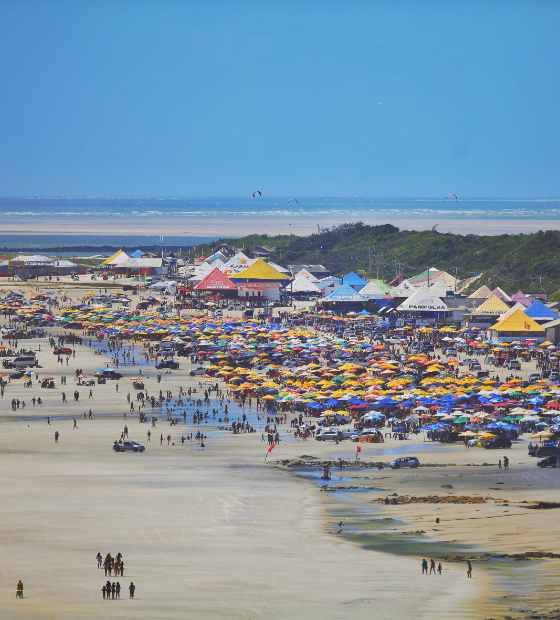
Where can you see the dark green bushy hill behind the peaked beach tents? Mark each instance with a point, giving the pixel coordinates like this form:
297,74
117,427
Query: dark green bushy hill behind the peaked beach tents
526,261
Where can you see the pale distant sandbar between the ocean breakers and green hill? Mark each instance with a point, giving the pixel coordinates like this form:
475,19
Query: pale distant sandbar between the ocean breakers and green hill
237,227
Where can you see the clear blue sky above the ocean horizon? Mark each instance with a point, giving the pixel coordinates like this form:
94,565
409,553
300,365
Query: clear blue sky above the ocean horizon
302,97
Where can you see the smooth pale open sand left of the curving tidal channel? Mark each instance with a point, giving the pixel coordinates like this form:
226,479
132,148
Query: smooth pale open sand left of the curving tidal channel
214,532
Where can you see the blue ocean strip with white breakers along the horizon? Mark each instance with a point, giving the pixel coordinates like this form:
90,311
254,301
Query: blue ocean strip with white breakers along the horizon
347,209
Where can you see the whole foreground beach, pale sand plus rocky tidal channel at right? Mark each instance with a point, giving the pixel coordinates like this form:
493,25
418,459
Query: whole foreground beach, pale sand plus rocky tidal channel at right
216,532
